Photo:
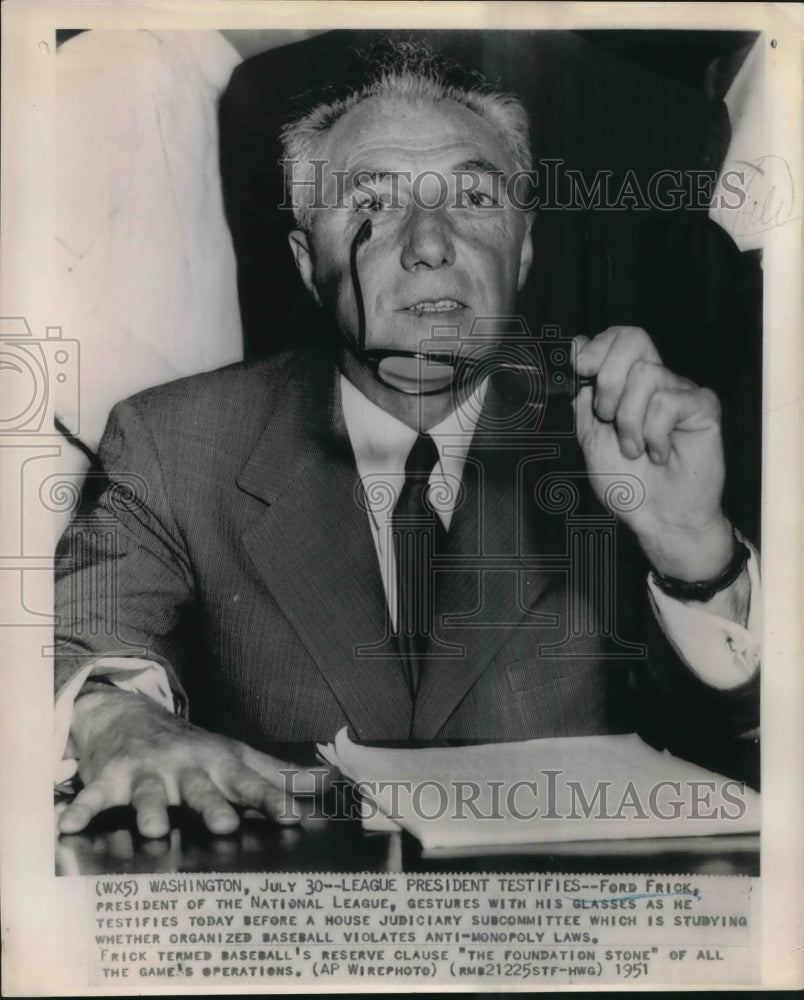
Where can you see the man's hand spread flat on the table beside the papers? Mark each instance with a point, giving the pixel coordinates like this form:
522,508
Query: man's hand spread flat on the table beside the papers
134,752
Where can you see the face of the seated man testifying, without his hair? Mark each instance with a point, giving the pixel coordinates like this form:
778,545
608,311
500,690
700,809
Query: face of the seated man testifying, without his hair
388,160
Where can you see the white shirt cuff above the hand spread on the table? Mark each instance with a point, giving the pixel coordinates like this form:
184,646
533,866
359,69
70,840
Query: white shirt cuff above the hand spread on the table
125,672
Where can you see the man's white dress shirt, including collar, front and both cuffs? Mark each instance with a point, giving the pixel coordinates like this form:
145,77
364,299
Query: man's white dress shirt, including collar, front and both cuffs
721,652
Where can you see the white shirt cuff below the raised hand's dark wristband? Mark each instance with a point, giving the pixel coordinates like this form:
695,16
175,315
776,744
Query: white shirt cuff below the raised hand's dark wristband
721,652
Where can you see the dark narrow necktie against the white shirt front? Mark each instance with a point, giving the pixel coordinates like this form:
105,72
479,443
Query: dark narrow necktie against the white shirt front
417,532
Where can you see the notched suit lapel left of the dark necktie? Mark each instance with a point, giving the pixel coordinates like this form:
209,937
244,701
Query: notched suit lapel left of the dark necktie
314,551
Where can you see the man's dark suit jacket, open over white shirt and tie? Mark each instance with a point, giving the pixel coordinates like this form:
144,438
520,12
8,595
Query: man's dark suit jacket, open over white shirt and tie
230,544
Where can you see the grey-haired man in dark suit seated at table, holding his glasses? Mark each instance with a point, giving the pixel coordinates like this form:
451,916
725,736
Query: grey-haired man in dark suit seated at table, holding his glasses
367,537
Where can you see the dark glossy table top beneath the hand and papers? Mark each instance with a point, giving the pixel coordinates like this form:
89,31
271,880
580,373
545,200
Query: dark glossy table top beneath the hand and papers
112,845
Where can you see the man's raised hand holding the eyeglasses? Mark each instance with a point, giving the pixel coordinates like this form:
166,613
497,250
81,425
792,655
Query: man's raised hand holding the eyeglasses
642,420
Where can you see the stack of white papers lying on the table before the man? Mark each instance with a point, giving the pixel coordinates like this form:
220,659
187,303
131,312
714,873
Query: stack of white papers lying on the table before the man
537,791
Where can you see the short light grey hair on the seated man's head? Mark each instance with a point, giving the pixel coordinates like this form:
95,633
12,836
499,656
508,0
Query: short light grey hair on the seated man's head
409,72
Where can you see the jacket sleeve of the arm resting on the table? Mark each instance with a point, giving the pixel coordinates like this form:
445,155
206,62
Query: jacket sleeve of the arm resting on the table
123,577
